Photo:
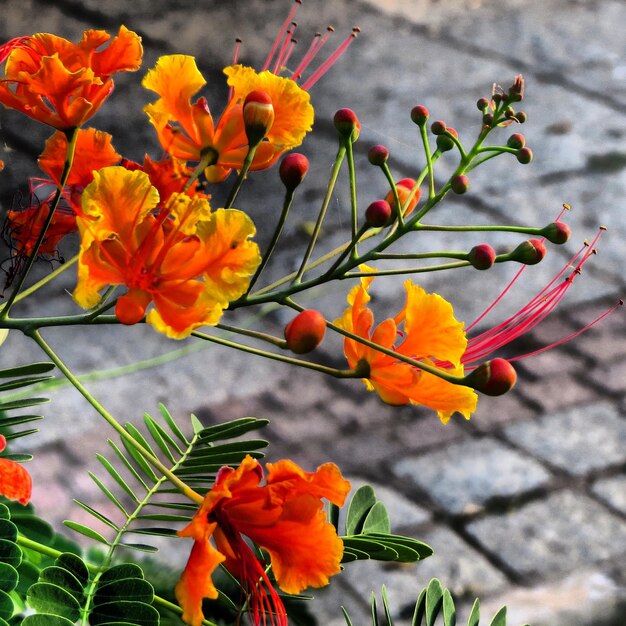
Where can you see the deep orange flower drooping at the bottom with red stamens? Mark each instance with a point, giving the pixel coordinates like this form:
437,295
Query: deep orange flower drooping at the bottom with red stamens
285,517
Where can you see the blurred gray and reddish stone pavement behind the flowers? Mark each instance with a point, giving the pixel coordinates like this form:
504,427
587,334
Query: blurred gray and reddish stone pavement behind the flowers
525,504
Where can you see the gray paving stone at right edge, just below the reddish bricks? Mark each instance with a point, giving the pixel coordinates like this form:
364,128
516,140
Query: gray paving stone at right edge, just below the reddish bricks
578,440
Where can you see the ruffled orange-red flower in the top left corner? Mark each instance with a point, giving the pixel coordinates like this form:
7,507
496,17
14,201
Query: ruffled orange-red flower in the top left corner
60,83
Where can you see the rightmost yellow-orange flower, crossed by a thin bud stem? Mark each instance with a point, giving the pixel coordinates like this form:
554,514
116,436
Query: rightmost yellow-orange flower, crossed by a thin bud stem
430,333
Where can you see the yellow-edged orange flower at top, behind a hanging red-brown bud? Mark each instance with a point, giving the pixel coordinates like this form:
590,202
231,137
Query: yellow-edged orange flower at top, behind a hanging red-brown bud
176,79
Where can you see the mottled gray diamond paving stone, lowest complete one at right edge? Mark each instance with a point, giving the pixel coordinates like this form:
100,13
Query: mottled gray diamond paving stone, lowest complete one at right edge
558,534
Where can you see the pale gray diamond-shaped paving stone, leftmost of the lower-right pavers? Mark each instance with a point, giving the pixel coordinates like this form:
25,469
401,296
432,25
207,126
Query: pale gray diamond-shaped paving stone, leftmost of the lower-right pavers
463,477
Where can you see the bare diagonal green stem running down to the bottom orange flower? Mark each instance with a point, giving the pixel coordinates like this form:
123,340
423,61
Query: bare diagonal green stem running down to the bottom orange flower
148,456
